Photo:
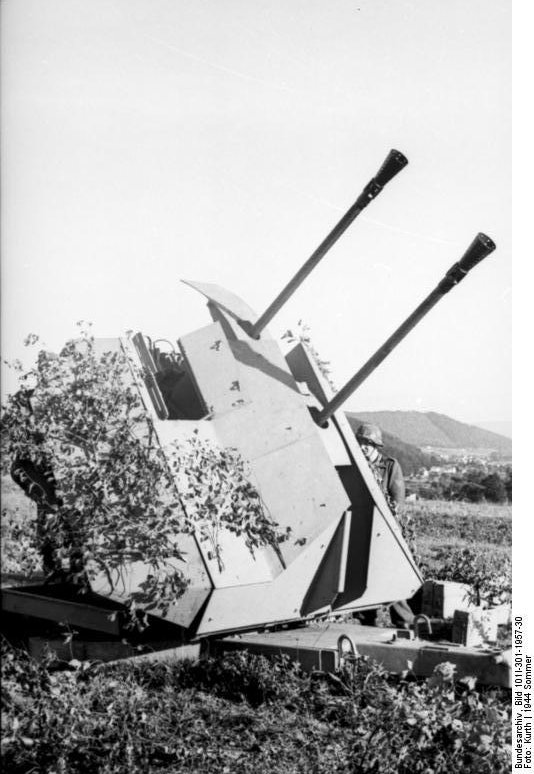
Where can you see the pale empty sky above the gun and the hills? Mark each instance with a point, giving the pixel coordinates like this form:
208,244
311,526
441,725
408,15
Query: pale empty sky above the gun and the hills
146,141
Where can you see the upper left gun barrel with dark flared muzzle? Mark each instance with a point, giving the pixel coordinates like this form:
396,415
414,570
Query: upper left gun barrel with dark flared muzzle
394,162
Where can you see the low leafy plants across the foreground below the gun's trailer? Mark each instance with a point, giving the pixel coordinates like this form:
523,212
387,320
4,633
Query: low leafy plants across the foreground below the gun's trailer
242,714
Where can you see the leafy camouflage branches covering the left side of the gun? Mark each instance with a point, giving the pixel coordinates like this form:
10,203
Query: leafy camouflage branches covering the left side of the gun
108,494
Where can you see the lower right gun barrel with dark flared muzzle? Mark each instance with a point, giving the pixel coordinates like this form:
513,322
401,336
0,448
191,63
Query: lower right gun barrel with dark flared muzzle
481,247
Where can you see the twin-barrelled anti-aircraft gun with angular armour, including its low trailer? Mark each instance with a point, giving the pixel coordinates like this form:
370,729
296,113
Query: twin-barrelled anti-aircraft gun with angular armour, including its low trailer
233,388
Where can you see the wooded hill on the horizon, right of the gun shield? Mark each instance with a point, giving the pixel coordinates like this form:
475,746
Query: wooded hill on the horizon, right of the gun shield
427,428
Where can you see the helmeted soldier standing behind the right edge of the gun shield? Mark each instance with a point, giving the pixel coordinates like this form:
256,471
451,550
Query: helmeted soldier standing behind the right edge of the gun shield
388,473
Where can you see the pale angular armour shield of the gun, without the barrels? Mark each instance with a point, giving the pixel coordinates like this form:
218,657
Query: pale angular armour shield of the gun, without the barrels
345,548
